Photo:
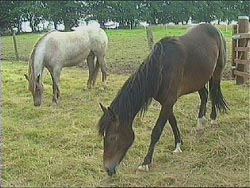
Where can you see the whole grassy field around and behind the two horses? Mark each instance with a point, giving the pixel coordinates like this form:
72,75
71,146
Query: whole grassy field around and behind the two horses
59,146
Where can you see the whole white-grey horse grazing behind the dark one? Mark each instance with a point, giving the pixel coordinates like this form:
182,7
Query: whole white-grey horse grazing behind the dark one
56,50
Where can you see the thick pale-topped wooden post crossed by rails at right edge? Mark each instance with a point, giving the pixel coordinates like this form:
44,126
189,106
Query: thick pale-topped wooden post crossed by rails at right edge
243,28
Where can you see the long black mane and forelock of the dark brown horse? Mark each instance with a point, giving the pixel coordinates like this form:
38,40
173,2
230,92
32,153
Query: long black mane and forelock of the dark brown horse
137,92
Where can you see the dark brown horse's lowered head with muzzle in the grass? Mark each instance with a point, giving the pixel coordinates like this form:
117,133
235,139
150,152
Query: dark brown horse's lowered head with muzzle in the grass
117,139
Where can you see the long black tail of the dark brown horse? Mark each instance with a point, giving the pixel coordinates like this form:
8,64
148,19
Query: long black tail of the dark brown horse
214,83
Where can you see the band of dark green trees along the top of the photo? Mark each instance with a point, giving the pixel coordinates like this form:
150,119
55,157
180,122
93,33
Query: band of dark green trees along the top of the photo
127,13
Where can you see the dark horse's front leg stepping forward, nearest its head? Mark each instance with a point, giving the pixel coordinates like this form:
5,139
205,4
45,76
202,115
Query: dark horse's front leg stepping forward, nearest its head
155,136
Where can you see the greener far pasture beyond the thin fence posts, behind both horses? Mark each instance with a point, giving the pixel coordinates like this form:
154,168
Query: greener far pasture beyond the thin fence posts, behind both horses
126,51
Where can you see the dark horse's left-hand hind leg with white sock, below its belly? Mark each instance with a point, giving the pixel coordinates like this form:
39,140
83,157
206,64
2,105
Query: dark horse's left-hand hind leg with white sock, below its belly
202,121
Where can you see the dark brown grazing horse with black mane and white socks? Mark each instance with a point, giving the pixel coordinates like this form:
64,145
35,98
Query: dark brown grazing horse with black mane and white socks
176,66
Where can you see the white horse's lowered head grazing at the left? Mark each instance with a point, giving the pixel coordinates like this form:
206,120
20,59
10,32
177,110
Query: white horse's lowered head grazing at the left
36,89
